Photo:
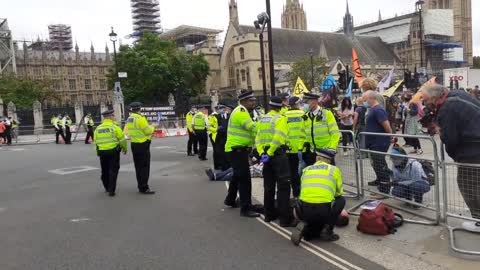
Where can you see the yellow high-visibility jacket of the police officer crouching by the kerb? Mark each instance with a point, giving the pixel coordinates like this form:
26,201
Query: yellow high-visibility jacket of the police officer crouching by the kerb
321,183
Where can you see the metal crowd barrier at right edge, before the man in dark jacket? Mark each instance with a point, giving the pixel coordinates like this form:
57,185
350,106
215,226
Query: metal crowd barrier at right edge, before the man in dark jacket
461,183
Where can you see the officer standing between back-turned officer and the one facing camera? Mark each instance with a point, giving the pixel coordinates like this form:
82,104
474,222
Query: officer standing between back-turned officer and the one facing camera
295,140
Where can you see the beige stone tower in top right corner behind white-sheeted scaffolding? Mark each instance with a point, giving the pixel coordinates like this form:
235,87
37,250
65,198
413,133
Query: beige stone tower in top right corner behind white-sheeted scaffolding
462,22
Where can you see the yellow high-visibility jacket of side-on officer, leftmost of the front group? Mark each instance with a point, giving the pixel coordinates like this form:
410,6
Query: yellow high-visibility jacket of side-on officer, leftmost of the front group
241,129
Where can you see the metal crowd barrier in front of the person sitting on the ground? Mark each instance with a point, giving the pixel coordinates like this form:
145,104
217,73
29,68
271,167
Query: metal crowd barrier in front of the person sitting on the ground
430,205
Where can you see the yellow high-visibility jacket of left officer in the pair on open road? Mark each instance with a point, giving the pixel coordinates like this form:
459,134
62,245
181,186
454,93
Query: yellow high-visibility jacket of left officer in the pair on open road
109,136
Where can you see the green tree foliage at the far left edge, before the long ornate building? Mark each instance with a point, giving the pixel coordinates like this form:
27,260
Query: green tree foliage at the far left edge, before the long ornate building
23,92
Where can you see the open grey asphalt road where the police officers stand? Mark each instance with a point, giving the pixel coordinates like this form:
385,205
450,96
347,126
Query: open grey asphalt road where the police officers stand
54,215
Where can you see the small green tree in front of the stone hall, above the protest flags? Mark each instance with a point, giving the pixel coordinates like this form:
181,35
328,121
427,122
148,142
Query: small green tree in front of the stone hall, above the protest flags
303,69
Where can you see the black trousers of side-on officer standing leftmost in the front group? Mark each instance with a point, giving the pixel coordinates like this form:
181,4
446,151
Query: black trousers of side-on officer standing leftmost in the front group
241,181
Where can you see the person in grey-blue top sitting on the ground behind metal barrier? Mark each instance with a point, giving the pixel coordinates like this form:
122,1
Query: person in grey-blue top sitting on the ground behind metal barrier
409,179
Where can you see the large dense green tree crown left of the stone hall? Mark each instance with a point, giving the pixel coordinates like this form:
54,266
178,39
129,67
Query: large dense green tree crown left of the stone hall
157,68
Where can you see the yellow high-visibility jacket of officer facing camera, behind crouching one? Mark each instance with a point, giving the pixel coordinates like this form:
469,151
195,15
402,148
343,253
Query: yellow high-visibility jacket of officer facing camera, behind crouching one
322,130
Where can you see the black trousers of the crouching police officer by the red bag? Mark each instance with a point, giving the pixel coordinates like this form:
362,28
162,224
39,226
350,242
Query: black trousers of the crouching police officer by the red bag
316,216
